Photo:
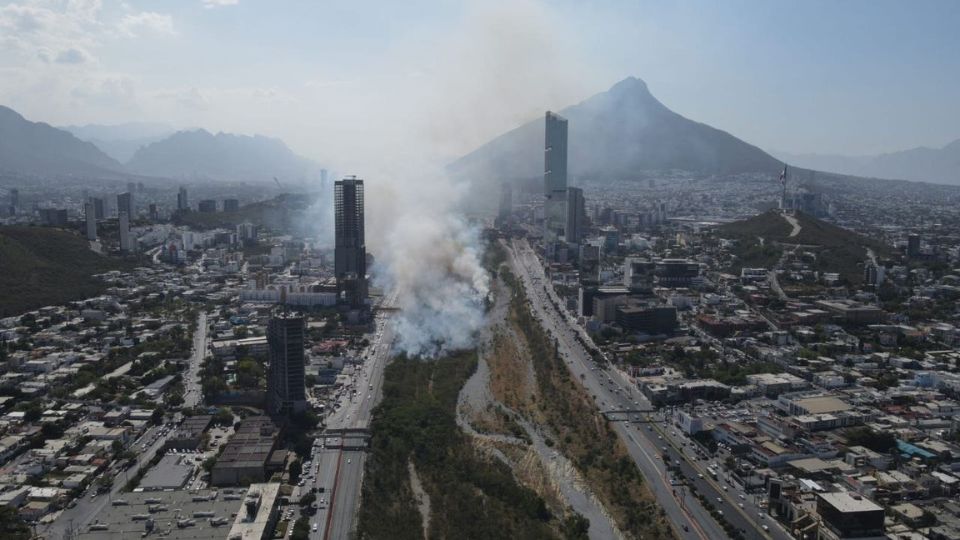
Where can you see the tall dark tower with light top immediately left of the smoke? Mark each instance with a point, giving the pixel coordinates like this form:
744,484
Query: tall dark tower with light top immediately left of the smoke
350,253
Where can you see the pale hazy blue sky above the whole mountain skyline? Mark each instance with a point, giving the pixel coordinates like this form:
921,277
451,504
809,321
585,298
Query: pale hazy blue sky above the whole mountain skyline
341,80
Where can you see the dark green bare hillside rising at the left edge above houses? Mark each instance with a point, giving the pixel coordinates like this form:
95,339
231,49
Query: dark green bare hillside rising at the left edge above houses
47,266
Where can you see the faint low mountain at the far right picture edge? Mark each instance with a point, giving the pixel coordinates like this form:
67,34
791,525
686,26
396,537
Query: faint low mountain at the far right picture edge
939,165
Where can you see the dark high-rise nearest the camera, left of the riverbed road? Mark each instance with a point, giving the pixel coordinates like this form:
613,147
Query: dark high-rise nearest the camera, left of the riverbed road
286,392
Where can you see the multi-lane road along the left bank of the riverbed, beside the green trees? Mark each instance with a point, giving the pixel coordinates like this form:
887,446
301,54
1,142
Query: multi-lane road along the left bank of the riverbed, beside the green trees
340,471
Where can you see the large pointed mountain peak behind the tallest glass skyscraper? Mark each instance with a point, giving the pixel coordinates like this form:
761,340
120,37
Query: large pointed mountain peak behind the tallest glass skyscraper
618,134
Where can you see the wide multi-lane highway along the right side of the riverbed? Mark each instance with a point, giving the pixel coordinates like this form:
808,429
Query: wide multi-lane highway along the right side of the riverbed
612,392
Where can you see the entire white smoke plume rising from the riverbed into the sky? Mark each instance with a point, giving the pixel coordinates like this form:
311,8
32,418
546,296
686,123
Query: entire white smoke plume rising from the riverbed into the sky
504,64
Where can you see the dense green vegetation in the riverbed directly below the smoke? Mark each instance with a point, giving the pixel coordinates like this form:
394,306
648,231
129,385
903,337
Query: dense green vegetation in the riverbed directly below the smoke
471,496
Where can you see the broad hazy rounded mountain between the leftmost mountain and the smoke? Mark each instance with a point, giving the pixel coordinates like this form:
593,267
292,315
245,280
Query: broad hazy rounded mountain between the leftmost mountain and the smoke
224,156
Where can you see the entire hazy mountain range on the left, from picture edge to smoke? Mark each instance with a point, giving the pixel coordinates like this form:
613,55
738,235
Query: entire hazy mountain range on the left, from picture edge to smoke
154,150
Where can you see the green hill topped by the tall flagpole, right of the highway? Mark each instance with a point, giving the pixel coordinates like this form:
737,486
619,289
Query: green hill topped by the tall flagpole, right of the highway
837,249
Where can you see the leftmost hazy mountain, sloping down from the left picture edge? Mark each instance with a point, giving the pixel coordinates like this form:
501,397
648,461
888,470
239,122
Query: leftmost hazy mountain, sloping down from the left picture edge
37,148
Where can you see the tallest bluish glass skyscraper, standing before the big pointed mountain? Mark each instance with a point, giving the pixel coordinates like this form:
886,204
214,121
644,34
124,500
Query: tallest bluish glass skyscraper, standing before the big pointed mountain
555,176
